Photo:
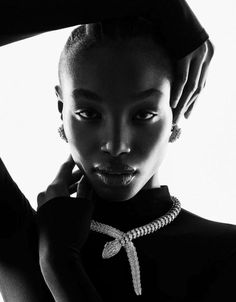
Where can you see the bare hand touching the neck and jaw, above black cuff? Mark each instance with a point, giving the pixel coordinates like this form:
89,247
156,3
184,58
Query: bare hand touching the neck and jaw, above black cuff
66,183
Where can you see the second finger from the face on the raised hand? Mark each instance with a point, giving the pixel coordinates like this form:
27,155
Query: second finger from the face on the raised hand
190,87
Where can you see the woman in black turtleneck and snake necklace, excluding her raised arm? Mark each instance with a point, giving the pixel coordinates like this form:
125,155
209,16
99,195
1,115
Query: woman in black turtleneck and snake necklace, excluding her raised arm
110,243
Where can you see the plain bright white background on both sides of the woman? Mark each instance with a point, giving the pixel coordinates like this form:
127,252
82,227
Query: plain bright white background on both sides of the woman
199,168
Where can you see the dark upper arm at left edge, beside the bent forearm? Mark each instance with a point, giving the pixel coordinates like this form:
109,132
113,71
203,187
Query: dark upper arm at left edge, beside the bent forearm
20,274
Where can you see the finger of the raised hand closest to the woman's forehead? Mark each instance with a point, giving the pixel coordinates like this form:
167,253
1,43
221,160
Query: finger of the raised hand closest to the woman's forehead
182,70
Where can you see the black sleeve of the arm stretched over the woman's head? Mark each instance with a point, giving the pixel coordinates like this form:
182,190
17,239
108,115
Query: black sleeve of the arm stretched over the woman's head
176,20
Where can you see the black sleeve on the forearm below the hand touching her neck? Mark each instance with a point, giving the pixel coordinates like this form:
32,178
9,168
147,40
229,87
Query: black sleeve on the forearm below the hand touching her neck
63,226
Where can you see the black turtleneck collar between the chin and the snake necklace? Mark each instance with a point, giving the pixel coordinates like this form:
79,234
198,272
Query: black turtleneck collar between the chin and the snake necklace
146,206
